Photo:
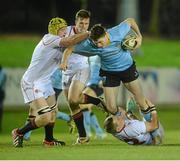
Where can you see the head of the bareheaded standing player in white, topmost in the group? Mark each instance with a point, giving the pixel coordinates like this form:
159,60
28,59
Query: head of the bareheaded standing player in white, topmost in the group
82,20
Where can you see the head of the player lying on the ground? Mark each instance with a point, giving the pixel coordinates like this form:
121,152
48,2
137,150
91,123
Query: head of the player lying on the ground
113,124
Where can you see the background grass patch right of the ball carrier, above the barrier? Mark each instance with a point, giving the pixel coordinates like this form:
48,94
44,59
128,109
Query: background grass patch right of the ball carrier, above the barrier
159,53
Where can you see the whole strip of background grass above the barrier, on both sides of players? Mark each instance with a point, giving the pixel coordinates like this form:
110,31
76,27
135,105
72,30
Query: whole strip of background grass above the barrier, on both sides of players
16,51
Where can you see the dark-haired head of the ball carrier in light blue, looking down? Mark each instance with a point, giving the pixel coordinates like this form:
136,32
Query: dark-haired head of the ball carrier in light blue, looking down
99,36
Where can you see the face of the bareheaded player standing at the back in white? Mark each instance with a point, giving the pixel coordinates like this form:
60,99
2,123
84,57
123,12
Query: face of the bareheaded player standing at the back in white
82,25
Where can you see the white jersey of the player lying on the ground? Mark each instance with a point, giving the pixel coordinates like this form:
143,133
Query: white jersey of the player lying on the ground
134,132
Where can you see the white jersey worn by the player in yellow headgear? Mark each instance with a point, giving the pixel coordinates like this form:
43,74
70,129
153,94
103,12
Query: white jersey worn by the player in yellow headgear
45,59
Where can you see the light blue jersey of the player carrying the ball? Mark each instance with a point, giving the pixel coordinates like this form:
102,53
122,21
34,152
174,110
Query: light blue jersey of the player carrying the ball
113,57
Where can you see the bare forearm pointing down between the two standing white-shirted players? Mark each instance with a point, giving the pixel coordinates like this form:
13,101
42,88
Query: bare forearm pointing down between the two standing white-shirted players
66,54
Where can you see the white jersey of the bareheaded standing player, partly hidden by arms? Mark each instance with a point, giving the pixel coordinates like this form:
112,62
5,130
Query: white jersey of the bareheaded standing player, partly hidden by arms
75,61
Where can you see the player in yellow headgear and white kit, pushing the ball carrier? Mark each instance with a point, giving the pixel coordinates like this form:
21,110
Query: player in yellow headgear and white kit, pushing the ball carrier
36,84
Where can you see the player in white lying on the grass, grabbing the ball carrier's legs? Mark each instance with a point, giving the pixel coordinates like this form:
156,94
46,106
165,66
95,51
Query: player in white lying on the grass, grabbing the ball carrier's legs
126,127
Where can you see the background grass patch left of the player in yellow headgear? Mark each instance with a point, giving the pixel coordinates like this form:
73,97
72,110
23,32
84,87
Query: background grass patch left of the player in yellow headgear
16,51
